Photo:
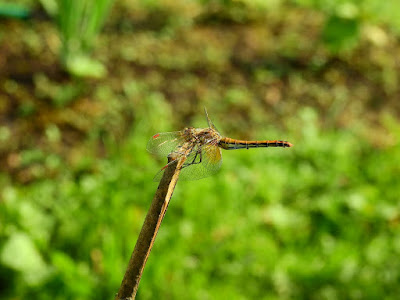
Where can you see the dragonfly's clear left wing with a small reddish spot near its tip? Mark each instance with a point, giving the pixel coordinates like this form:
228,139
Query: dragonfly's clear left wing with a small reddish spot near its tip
162,144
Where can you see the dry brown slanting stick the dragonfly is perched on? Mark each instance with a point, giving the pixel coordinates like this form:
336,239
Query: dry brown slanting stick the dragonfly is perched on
154,217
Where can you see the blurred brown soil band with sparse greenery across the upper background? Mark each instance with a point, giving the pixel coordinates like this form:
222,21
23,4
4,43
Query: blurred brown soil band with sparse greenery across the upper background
259,69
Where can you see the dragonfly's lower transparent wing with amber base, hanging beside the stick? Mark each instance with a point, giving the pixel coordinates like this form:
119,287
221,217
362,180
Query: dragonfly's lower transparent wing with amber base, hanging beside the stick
203,161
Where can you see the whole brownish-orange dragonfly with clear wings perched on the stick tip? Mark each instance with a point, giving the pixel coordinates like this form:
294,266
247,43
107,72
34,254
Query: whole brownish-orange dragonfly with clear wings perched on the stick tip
200,148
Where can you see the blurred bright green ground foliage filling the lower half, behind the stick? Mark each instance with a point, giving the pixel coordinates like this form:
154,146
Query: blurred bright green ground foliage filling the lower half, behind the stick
319,220
